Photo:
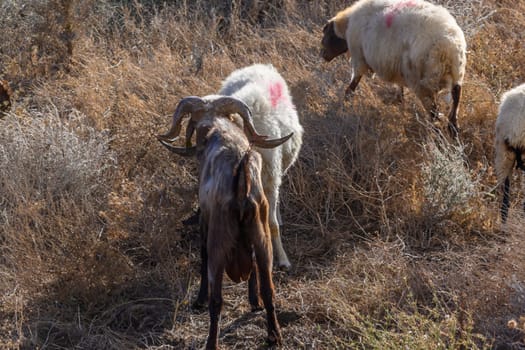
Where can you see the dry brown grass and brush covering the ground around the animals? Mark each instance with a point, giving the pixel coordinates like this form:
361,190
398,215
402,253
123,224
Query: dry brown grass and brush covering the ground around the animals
392,228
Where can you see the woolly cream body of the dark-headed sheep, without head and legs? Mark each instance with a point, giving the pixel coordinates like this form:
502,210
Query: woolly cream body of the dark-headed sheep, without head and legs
407,42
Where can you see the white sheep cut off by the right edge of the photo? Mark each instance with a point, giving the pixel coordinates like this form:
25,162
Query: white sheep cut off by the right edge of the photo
509,140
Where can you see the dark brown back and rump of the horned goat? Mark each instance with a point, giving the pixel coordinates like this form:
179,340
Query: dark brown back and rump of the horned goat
231,196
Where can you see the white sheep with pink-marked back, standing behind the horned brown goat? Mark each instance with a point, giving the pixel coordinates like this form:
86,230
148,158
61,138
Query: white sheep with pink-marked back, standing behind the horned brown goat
266,94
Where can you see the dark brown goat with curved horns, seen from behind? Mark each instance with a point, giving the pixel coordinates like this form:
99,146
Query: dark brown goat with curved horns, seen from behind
234,220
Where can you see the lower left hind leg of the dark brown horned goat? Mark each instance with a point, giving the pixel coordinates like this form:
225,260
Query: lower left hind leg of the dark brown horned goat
216,270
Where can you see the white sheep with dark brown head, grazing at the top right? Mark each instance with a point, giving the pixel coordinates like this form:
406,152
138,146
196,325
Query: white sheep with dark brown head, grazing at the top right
412,43
